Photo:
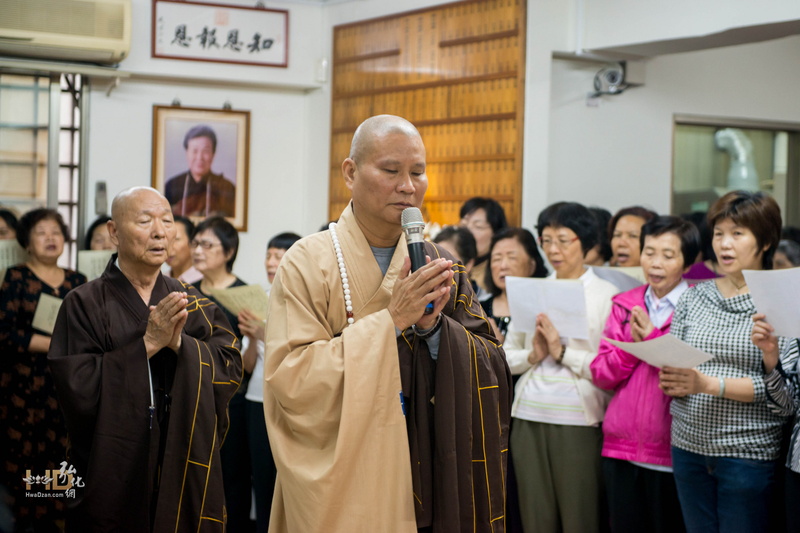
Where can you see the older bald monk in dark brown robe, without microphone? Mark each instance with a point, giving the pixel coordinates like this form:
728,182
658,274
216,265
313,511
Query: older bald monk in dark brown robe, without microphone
144,367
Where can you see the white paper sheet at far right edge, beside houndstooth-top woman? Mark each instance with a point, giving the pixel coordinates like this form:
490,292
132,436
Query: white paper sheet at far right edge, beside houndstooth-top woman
776,293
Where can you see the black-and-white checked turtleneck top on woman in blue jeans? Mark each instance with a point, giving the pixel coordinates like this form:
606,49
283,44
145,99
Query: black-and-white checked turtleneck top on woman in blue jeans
713,426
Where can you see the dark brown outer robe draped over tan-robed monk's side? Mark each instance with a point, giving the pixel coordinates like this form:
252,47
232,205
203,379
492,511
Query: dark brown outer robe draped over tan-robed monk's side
459,411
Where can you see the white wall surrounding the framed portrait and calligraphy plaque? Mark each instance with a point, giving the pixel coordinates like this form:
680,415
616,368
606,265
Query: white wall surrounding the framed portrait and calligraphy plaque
288,183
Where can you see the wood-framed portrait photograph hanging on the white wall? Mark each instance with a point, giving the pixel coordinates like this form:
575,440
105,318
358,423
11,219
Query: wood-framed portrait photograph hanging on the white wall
200,161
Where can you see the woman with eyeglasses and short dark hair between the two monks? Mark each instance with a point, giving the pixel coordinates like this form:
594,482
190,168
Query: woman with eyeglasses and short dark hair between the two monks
214,245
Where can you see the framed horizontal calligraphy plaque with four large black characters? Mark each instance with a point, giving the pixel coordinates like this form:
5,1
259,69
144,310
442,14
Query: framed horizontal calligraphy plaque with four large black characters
219,33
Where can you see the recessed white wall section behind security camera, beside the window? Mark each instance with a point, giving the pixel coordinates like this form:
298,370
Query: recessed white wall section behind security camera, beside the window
620,153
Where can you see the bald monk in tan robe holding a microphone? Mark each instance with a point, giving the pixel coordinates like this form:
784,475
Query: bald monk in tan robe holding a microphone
381,417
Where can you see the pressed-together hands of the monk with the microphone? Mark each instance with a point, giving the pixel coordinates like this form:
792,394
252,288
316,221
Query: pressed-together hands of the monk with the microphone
414,290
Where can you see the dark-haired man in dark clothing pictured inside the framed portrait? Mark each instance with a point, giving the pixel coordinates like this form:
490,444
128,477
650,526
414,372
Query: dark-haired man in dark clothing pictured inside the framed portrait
199,192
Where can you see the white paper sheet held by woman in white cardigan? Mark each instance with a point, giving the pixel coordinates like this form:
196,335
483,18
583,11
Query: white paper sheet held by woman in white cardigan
563,301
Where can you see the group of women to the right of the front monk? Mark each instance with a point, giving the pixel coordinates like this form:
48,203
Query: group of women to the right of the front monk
631,446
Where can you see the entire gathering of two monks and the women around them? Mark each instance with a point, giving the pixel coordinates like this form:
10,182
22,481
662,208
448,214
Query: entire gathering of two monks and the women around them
591,437
